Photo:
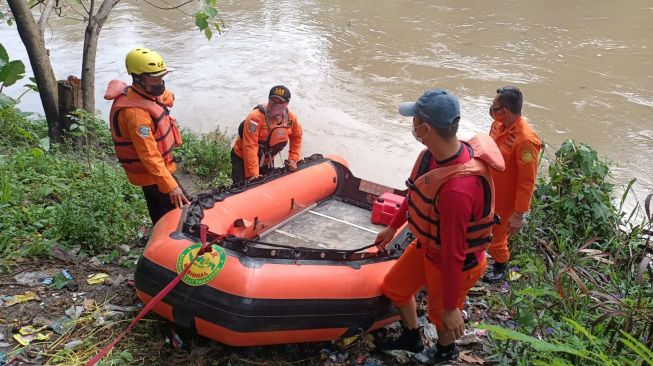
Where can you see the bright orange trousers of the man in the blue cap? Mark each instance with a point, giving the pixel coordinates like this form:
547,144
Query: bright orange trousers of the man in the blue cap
413,270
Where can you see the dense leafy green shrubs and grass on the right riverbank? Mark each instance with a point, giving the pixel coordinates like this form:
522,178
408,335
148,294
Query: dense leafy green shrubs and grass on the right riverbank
580,299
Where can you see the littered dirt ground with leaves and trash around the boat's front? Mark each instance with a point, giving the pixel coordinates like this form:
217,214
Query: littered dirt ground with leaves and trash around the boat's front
71,320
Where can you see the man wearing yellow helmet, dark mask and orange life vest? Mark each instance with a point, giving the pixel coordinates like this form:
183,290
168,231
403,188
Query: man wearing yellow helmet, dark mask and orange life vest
144,134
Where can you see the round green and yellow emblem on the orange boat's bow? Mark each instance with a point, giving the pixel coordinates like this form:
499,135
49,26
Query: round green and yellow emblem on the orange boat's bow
205,268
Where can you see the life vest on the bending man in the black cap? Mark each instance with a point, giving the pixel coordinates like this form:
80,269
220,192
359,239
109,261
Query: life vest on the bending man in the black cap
277,137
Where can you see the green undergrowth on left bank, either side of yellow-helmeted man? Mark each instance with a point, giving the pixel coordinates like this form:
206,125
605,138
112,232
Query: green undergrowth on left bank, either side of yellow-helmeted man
74,194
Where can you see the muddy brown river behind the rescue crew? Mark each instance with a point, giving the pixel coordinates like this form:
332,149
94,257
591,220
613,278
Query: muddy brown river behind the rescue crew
585,68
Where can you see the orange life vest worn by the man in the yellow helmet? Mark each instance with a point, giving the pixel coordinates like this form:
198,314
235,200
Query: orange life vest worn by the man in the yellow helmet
165,129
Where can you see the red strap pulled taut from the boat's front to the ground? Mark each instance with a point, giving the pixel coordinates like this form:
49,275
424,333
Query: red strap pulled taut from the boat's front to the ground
205,248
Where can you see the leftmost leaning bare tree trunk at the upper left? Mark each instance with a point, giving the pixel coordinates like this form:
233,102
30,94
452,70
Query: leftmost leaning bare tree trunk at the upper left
40,61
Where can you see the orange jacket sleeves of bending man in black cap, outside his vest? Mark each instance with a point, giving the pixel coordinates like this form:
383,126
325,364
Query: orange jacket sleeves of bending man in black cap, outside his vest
256,129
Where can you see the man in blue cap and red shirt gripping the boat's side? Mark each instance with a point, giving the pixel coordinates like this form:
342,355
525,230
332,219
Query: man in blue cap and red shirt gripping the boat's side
450,212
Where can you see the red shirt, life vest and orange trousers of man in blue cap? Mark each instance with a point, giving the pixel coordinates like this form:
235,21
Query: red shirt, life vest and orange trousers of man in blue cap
423,263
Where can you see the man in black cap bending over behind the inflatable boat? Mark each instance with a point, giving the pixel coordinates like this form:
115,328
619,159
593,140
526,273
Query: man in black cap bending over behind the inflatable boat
264,133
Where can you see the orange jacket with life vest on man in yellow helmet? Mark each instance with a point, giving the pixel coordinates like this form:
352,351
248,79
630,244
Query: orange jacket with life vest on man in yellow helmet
144,148
